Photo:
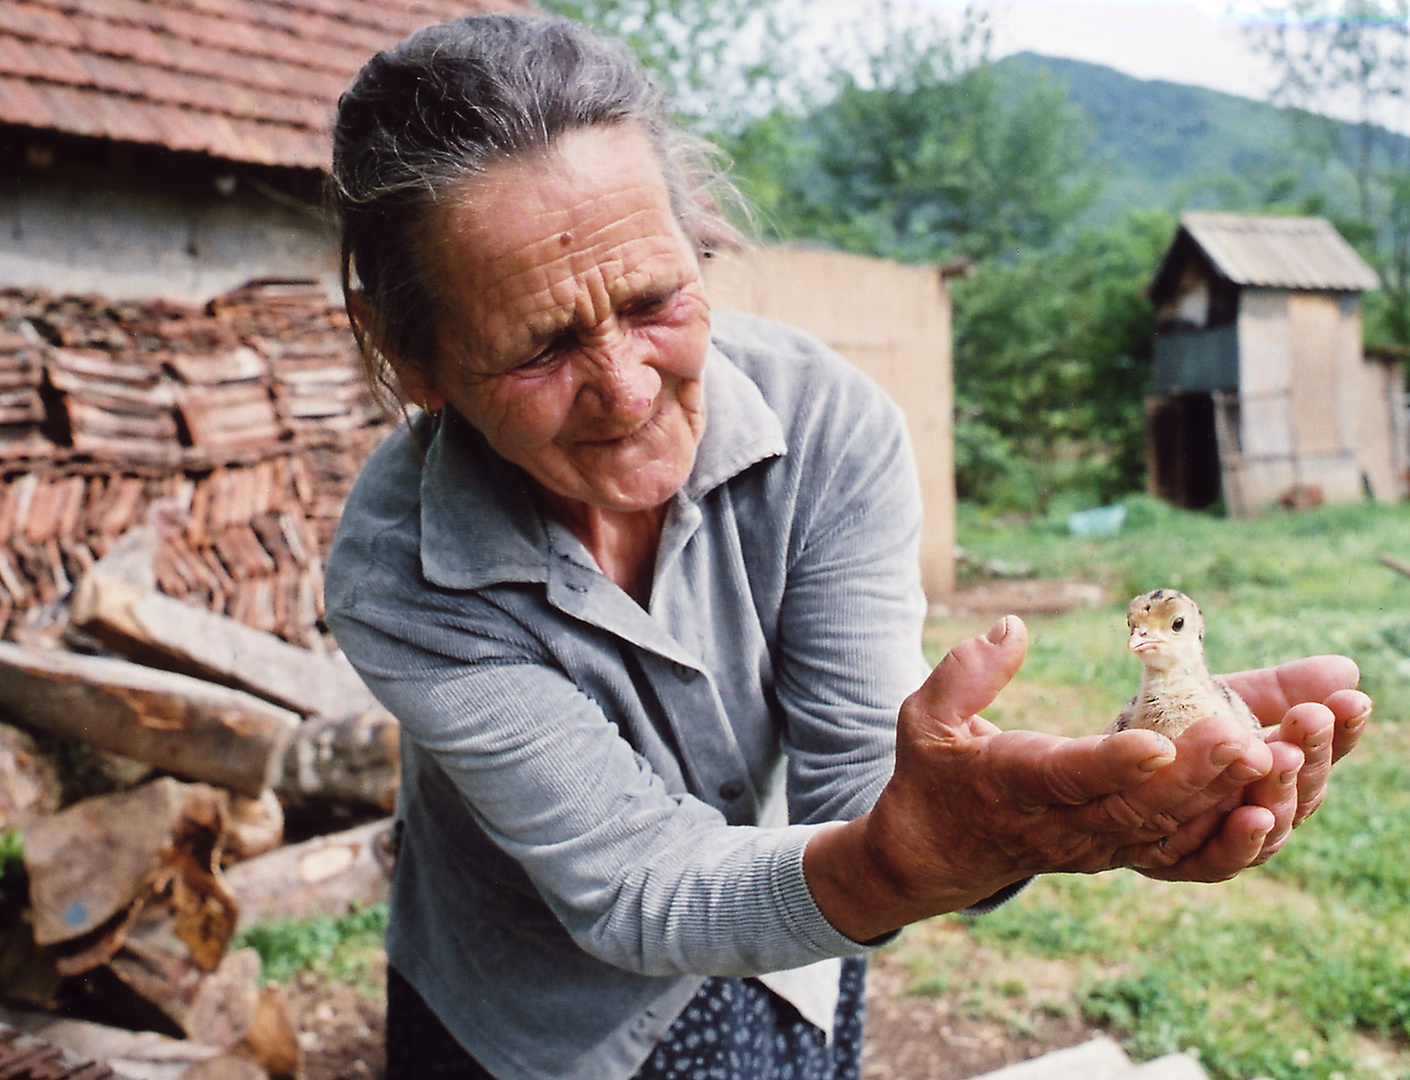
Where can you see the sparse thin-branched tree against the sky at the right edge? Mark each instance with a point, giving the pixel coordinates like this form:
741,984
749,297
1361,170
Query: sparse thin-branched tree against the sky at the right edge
1356,53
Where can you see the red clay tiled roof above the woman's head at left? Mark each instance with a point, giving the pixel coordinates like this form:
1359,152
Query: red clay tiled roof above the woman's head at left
247,81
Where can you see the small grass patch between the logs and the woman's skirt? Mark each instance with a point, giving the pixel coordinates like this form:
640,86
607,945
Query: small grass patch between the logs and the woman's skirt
348,948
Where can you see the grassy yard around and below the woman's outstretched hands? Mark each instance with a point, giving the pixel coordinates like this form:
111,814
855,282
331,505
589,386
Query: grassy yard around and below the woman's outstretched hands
1298,971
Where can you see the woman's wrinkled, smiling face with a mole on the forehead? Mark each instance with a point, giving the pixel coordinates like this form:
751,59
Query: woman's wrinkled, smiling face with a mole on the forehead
573,326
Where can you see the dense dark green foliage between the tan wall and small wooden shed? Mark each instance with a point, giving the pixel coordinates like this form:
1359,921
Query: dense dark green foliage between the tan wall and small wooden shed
1053,360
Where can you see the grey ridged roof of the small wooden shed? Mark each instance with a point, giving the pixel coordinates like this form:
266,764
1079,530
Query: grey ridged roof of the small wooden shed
1280,253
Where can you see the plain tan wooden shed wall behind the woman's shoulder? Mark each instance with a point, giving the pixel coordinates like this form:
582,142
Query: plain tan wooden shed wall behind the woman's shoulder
890,321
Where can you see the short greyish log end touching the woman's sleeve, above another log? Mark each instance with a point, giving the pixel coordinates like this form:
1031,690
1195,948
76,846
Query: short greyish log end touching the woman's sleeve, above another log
349,761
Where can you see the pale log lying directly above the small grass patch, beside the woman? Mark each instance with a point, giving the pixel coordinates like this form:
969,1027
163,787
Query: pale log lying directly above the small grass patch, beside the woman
325,876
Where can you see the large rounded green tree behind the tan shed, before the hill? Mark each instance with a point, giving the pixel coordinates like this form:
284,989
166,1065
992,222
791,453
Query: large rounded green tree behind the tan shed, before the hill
924,152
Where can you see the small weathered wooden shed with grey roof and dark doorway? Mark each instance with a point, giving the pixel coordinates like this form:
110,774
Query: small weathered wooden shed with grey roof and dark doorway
1263,393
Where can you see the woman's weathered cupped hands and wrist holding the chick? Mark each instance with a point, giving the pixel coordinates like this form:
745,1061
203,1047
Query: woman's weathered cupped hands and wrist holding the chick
971,809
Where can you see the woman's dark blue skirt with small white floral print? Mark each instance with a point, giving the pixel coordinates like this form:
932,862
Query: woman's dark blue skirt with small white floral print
732,1030
